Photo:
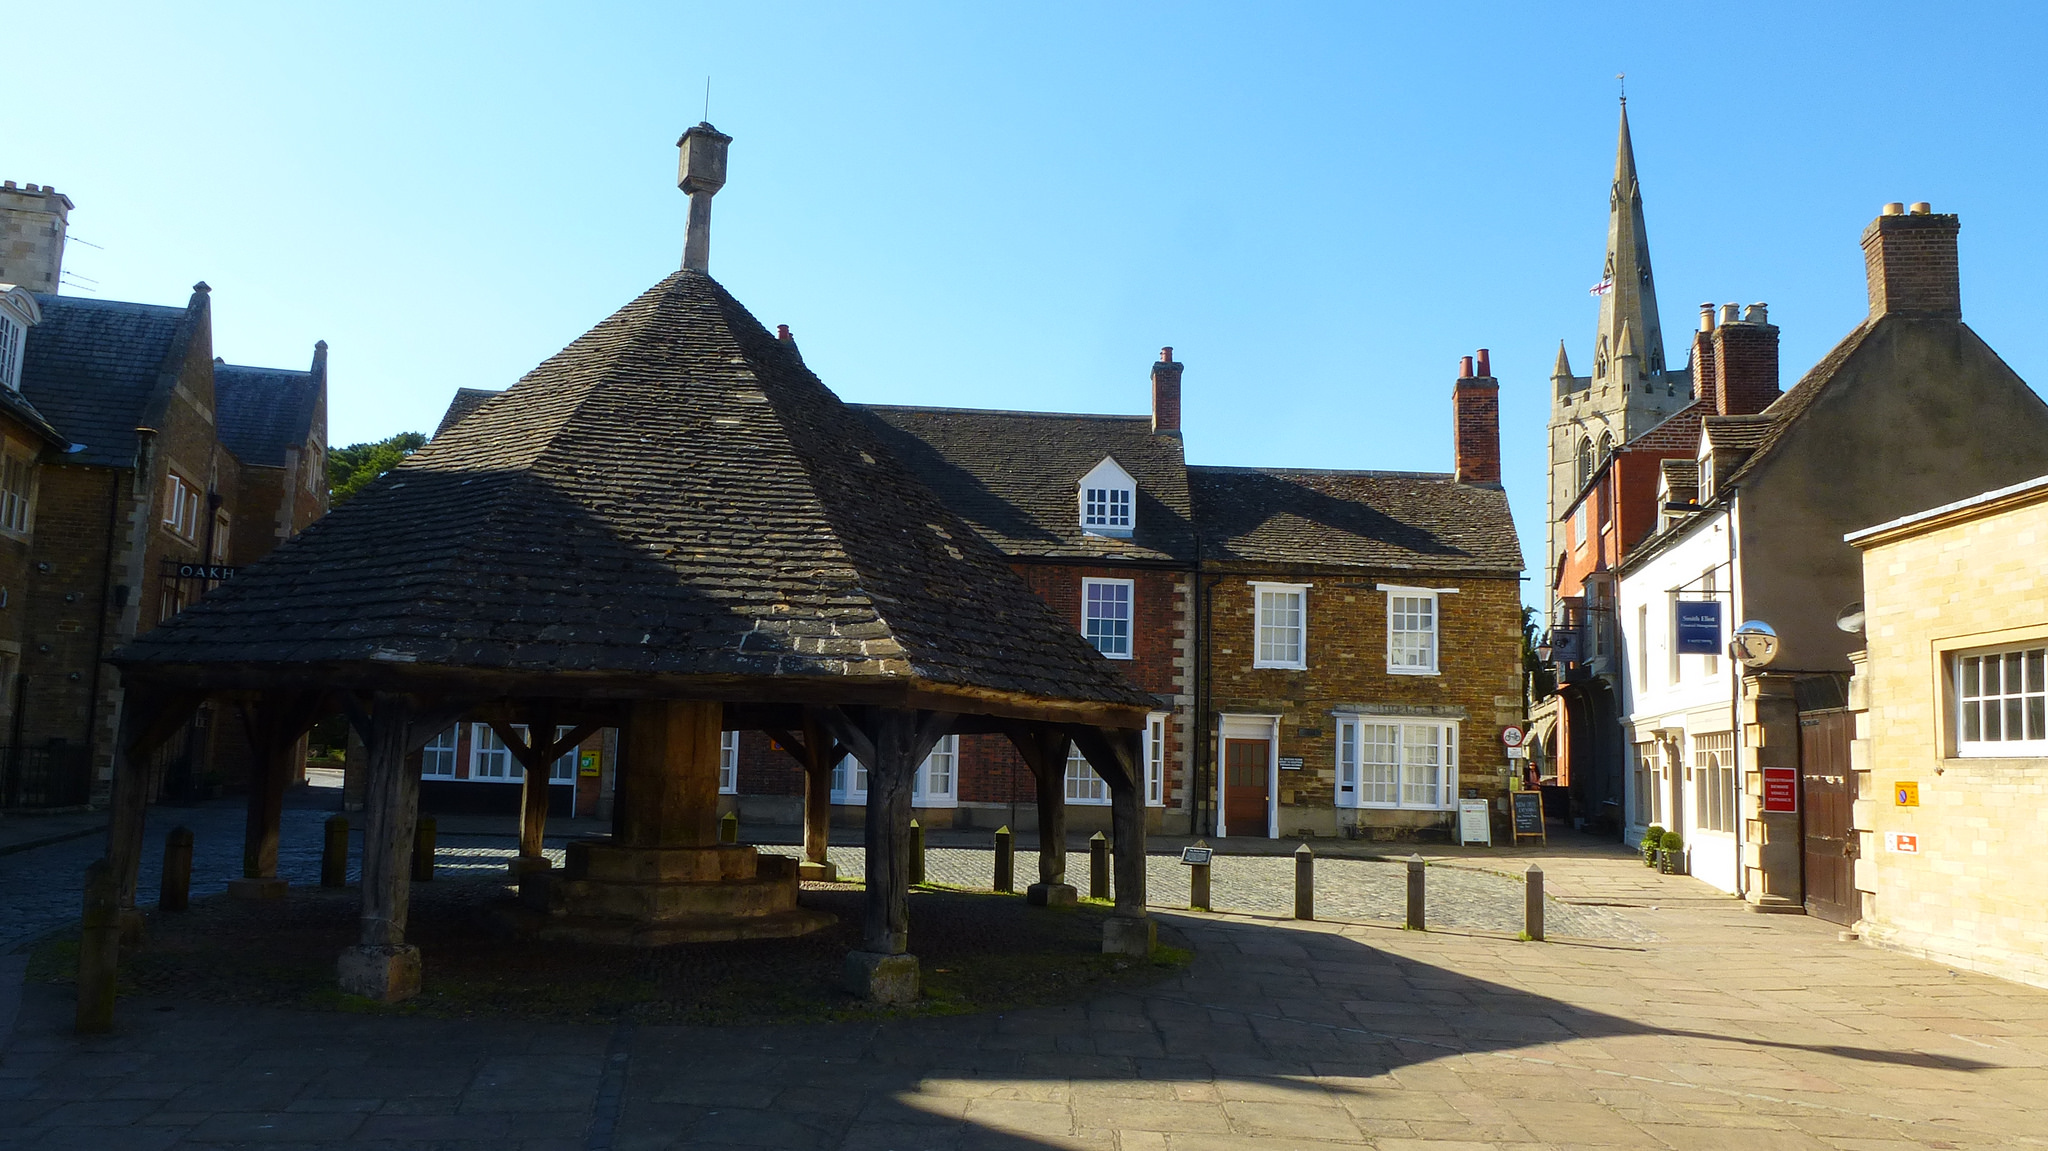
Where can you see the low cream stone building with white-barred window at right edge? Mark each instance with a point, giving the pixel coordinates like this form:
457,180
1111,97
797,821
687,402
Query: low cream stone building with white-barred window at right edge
1951,755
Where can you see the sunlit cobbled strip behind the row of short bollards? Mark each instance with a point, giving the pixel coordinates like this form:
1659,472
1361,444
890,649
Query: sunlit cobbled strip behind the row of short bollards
1345,890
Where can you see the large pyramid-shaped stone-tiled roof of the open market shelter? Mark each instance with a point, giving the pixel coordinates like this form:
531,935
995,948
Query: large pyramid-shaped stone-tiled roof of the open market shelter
673,495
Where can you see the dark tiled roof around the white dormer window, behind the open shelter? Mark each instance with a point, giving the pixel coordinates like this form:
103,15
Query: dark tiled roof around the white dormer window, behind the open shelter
1015,476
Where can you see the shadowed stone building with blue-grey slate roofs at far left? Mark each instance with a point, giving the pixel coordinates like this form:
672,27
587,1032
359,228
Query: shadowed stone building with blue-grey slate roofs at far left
175,470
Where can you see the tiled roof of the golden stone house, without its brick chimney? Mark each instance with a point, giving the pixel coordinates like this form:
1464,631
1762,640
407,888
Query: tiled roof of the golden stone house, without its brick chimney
1367,519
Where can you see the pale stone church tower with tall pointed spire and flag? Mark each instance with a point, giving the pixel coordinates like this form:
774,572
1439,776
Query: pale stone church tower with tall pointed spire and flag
1631,390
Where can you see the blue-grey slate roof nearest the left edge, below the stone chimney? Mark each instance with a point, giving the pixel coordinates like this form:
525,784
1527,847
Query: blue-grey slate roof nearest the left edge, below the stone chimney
93,366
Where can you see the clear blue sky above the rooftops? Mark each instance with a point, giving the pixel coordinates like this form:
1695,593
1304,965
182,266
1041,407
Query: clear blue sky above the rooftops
1318,206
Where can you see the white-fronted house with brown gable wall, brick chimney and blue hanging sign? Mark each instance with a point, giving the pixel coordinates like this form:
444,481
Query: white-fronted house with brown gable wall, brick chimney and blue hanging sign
1908,409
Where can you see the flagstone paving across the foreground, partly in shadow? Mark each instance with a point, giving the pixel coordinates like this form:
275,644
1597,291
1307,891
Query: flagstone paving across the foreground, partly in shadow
1730,1031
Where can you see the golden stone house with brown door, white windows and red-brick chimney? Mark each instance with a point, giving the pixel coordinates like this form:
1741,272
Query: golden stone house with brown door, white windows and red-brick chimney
1363,640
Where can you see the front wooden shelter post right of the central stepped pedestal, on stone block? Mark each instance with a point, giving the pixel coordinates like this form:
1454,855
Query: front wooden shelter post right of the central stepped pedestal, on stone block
892,744
